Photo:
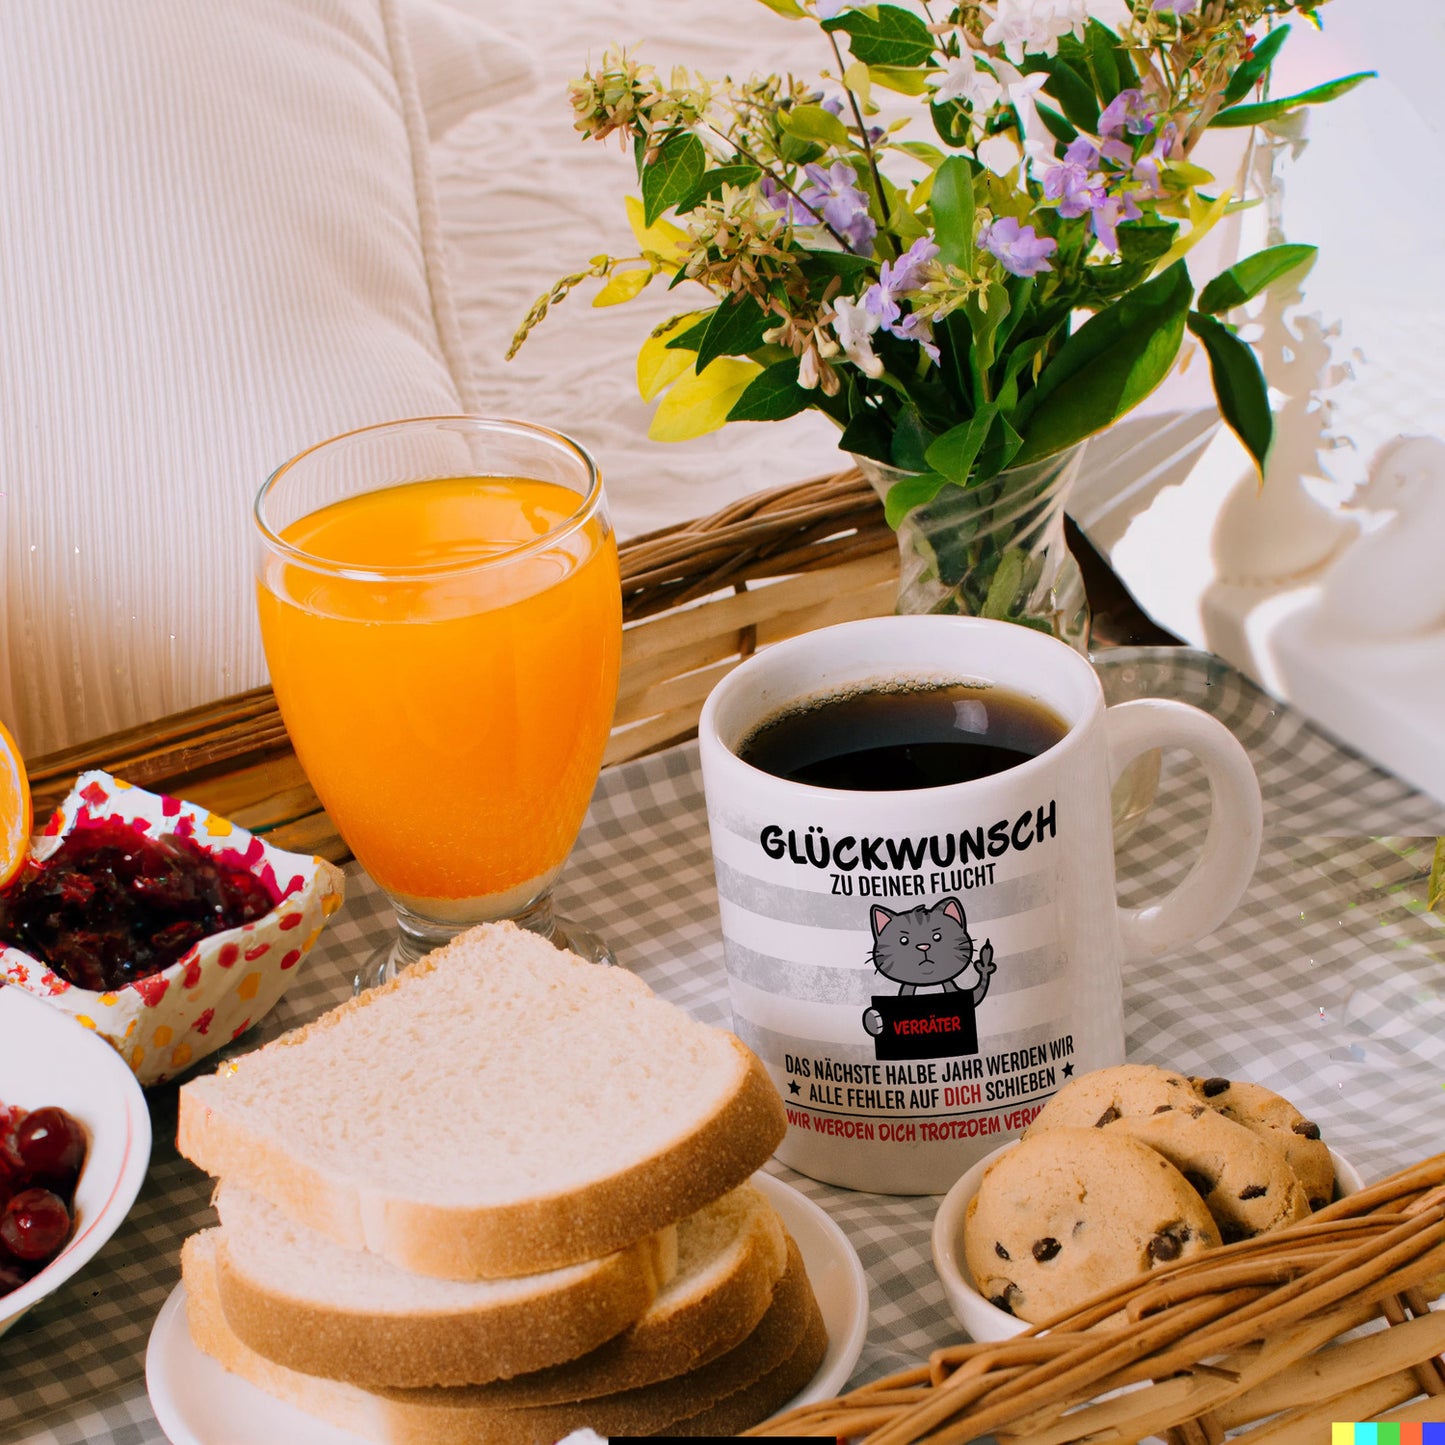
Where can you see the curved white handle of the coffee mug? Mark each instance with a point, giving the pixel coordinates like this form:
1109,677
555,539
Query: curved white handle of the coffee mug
1202,902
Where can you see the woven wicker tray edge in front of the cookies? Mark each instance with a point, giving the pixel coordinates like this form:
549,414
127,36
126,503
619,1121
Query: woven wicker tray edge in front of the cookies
1264,1336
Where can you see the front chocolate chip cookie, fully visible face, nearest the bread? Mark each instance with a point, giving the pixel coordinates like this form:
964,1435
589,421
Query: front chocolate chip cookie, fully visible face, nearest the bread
1069,1213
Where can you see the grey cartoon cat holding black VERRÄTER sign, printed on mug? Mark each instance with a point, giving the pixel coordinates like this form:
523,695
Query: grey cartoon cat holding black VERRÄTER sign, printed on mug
927,947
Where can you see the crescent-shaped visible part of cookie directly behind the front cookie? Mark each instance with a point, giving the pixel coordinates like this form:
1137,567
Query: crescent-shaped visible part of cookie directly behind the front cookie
1245,1183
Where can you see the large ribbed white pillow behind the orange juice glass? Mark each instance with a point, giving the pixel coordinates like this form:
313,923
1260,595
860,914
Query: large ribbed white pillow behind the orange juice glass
217,246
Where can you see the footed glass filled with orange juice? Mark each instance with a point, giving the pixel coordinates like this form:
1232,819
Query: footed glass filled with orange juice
441,612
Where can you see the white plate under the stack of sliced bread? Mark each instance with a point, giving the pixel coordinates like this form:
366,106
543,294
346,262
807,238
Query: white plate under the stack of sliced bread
200,1404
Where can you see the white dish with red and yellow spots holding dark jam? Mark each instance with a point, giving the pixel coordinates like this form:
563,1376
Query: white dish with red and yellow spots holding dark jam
226,983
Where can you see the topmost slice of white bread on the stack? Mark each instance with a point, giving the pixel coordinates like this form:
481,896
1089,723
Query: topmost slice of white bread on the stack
499,1109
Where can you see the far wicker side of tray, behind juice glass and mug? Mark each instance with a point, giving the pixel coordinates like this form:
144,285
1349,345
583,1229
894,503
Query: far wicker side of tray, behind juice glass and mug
697,599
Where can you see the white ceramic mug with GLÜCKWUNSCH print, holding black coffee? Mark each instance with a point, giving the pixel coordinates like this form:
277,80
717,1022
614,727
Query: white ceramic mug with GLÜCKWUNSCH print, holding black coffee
900,1087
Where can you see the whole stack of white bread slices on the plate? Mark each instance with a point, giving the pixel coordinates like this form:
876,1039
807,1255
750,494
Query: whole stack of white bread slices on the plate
501,1199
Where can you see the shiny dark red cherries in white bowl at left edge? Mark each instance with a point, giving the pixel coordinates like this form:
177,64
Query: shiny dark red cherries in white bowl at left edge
41,1158
